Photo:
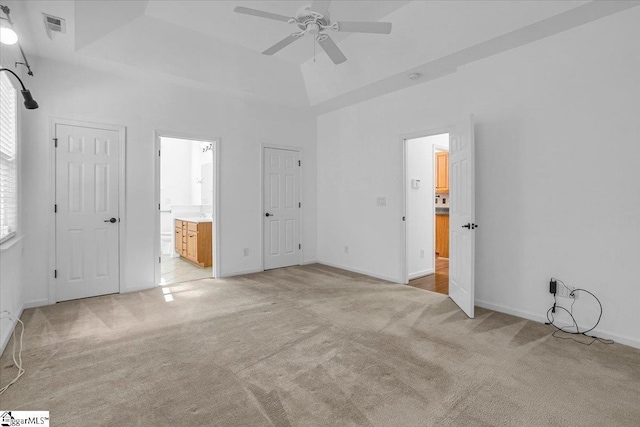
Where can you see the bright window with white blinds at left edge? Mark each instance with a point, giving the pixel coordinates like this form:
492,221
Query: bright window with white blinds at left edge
8,160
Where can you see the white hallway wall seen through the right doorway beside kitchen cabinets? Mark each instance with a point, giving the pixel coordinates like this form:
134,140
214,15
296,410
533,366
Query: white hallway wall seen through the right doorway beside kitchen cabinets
420,204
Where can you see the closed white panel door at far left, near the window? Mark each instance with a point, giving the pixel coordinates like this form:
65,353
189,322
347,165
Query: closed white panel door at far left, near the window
87,223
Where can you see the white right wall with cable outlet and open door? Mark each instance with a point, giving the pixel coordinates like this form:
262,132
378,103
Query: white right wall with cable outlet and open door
557,182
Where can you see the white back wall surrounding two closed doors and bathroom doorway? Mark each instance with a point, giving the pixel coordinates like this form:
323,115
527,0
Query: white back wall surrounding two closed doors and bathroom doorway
144,104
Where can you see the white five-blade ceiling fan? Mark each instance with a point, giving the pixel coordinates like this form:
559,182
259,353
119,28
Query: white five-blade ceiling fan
314,19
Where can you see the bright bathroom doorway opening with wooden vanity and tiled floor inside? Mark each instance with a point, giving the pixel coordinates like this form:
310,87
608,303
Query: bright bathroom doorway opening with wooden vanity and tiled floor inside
186,190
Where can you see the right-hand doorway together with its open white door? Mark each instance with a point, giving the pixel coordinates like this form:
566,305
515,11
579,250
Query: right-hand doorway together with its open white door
458,184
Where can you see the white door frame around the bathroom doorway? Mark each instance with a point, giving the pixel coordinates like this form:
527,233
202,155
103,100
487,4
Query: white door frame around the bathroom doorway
217,267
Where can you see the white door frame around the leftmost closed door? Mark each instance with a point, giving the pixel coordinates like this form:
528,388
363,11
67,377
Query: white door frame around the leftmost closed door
122,136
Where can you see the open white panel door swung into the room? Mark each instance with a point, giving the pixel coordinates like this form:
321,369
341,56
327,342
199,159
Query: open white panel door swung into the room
462,216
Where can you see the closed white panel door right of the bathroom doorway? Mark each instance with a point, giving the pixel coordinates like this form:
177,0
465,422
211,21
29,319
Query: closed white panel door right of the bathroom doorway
281,208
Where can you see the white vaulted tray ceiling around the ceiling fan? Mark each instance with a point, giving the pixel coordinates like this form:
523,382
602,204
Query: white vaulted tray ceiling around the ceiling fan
206,45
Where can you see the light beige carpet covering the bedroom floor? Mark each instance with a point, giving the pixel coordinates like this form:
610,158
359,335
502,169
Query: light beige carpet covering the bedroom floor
308,346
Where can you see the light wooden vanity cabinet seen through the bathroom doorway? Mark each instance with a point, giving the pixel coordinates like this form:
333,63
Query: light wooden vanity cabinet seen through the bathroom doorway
193,242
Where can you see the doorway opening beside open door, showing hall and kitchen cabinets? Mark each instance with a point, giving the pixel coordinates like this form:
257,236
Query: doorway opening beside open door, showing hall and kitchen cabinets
428,212
